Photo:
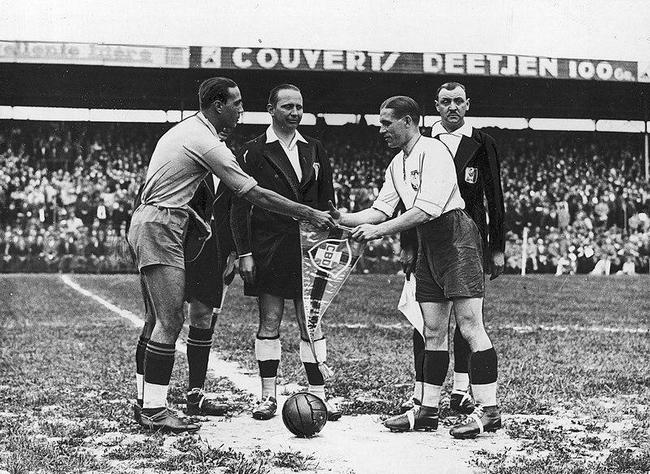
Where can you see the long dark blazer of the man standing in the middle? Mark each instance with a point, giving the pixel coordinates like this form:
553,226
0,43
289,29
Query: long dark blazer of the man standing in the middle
272,238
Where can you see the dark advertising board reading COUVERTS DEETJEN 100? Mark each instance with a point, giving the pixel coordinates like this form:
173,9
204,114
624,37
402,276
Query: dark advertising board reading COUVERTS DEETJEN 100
497,65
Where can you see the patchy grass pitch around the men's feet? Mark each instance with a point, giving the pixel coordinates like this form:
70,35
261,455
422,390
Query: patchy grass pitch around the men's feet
573,372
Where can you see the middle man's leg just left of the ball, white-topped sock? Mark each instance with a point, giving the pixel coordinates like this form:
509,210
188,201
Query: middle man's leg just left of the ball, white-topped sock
268,352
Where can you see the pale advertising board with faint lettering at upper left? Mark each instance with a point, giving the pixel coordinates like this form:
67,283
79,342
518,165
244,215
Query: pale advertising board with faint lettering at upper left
93,54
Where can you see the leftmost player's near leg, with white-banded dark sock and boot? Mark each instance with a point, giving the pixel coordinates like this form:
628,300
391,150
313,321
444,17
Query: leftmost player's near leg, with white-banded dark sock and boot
166,287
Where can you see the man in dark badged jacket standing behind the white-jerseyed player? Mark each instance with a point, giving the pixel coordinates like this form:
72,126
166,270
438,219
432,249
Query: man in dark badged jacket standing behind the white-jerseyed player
477,166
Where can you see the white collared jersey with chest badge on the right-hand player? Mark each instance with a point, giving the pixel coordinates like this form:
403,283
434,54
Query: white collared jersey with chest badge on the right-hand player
426,179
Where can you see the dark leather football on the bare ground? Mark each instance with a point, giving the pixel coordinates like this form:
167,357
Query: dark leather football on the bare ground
304,414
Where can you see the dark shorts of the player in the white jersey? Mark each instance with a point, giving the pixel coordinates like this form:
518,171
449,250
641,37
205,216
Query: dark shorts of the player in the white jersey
450,259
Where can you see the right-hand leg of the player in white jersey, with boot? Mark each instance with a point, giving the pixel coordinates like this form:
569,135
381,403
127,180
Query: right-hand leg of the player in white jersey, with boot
482,370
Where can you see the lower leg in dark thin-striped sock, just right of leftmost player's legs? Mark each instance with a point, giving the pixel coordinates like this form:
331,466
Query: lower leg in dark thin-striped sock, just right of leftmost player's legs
199,343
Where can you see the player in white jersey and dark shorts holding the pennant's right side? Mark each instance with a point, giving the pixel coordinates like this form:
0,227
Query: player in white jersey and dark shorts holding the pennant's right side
449,272
